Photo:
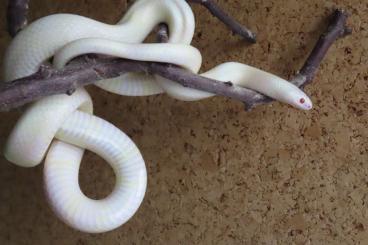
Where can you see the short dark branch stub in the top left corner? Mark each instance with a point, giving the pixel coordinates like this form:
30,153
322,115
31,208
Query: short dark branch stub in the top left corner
17,15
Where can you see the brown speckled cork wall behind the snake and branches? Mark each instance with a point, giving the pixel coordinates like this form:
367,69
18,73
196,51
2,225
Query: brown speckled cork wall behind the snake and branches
218,174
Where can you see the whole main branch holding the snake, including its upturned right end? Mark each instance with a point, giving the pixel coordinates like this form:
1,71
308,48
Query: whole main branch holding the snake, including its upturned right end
89,70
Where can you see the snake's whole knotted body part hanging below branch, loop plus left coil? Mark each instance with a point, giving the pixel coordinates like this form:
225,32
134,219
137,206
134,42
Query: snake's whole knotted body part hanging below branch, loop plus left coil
68,119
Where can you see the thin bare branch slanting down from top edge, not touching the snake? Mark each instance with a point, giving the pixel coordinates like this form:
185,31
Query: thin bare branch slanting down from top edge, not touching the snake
231,23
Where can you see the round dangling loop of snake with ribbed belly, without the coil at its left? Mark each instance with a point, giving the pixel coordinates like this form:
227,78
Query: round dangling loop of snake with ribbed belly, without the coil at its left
83,131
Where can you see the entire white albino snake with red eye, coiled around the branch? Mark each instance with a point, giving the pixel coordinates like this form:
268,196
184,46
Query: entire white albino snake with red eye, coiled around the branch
69,119
